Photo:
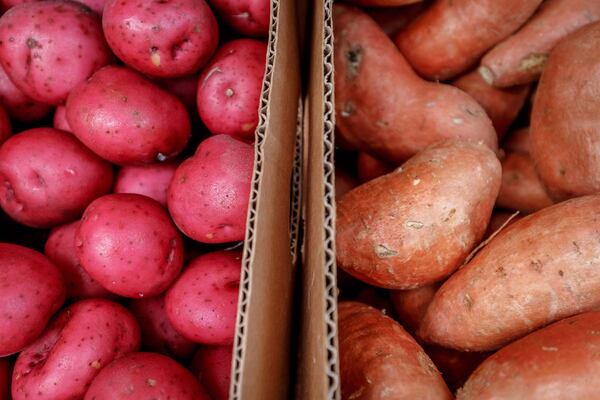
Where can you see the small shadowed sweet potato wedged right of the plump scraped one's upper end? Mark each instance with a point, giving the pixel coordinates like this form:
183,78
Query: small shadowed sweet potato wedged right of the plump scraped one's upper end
521,188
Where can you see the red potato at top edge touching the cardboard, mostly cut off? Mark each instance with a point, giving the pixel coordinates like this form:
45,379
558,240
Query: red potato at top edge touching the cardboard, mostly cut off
249,17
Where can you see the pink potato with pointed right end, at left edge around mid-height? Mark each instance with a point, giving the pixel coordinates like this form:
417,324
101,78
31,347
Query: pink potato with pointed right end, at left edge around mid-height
47,177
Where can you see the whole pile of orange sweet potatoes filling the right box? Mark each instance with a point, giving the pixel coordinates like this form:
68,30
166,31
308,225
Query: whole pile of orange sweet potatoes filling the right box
468,198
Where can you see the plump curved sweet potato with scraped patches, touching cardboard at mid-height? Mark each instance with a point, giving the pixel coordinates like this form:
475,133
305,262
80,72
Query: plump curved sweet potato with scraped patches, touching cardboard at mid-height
421,236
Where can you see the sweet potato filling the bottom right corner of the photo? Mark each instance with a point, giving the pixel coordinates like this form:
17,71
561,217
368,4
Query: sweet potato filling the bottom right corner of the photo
557,362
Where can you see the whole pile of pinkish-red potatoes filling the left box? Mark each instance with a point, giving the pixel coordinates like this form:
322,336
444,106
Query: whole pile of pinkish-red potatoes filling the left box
126,155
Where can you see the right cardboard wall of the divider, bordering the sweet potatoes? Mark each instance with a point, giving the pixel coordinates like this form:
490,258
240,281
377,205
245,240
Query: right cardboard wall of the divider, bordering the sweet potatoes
318,369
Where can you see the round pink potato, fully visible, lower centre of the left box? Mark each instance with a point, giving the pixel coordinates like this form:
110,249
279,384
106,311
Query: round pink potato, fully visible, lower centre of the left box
128,244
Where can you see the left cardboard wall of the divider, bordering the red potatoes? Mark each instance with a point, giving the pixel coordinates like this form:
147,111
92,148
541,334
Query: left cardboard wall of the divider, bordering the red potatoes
261,359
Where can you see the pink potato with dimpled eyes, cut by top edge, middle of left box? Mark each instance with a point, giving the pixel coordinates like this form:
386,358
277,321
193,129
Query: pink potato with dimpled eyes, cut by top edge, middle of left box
161,38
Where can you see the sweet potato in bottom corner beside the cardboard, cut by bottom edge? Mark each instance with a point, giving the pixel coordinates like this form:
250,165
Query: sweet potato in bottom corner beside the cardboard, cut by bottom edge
379,360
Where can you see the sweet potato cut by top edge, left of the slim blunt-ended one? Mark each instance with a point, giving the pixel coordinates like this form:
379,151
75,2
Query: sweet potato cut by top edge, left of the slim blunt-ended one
451,35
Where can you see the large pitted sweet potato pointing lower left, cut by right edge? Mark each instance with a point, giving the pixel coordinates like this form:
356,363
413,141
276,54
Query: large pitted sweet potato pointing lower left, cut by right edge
539,269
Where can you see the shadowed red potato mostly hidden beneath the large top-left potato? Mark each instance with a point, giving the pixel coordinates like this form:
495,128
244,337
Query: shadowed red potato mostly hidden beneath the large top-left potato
17,104
